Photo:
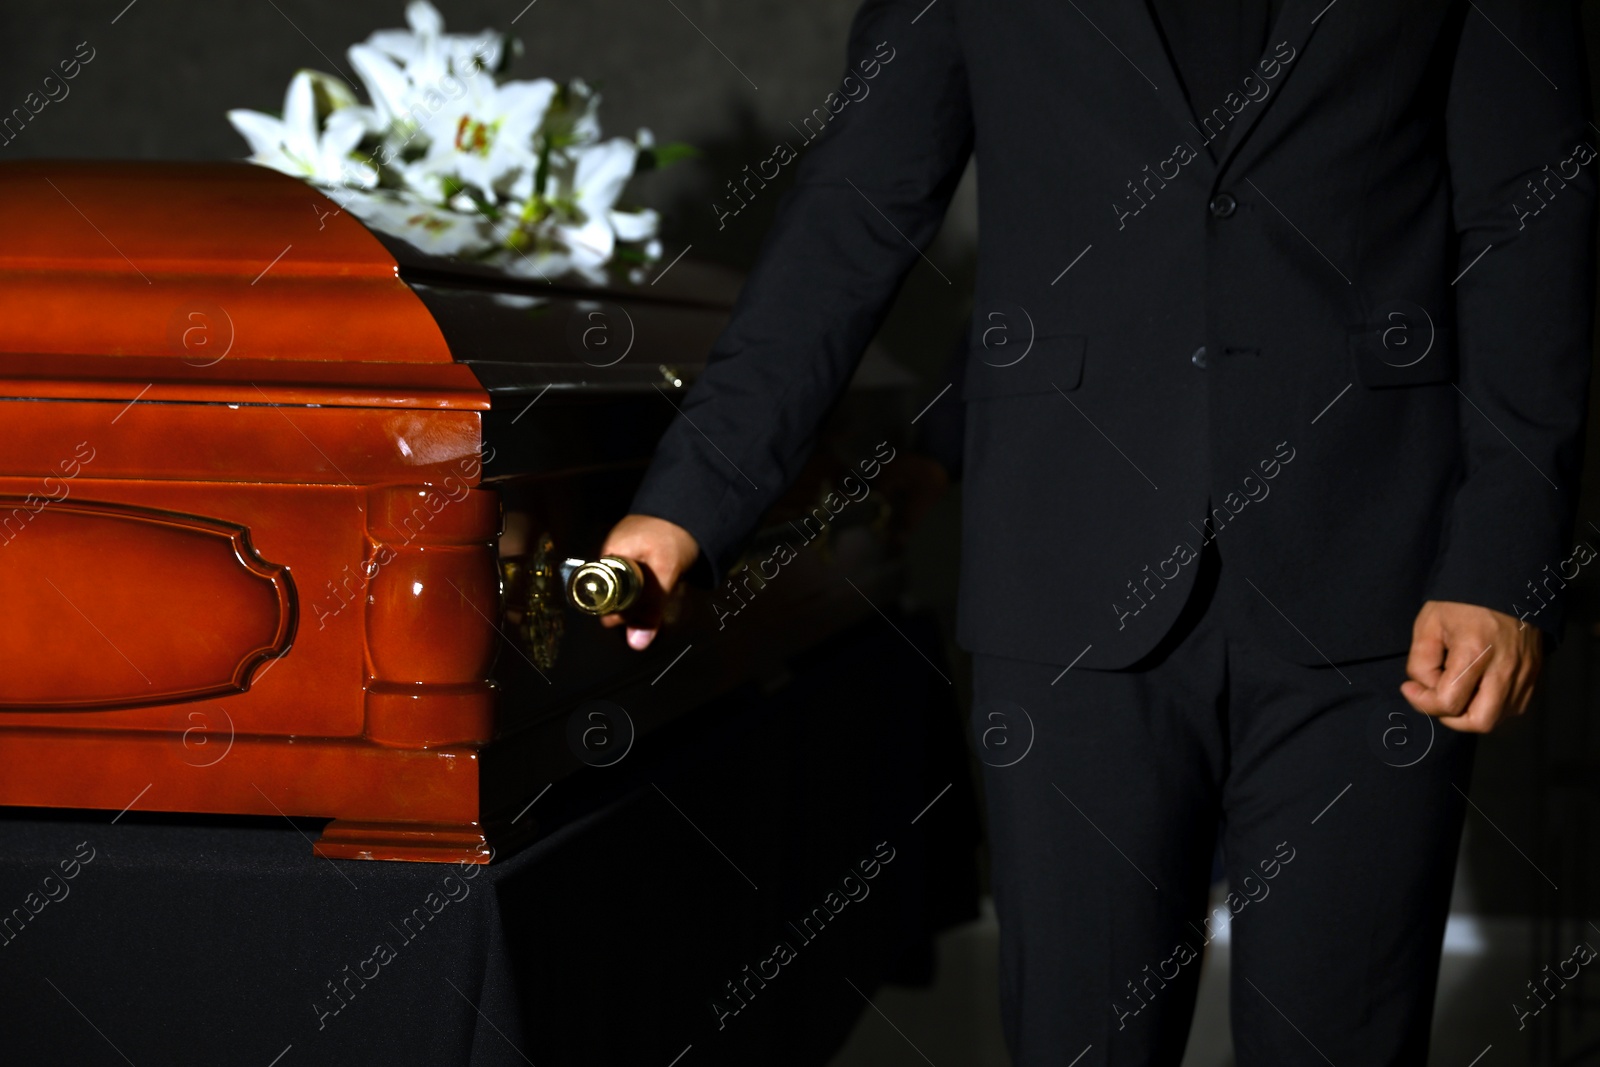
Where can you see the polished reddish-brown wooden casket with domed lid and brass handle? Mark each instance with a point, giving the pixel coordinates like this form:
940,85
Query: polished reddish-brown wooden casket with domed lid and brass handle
287,514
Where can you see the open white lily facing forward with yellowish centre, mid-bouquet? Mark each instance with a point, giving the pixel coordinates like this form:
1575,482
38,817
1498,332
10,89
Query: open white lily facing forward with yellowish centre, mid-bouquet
486,138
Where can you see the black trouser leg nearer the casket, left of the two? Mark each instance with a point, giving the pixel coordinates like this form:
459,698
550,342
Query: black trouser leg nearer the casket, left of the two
1103,793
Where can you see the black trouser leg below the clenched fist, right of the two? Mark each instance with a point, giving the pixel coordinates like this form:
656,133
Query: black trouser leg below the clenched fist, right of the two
1343,815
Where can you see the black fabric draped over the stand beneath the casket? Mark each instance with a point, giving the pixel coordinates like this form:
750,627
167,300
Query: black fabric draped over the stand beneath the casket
225,941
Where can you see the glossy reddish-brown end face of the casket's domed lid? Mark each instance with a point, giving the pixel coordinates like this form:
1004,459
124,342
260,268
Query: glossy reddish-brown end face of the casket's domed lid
207,282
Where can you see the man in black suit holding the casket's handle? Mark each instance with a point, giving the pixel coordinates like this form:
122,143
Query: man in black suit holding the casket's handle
1274,414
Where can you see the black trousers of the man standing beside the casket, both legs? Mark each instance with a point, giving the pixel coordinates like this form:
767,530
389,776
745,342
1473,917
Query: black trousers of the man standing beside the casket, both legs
1340,813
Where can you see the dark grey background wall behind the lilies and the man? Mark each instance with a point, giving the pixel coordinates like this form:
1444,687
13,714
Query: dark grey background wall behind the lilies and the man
166,74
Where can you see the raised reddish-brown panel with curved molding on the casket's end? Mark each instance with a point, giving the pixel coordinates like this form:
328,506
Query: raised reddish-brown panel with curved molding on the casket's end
130,607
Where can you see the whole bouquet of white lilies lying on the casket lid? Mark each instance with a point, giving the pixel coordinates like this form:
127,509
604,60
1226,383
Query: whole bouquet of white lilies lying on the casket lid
460,154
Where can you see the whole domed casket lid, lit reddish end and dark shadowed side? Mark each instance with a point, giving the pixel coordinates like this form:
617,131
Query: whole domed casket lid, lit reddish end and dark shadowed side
230,282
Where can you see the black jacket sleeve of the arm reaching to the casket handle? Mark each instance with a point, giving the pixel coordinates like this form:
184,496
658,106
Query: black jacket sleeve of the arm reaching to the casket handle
870,194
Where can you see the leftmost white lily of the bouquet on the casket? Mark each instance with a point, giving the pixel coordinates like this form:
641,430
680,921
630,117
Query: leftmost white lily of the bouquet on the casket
295,145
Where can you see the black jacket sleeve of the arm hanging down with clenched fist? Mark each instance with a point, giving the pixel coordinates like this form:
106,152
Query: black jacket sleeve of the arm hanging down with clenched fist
1522,172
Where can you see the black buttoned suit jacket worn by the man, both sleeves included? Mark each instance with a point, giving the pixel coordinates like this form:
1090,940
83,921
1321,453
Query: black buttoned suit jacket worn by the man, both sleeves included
1382,242
